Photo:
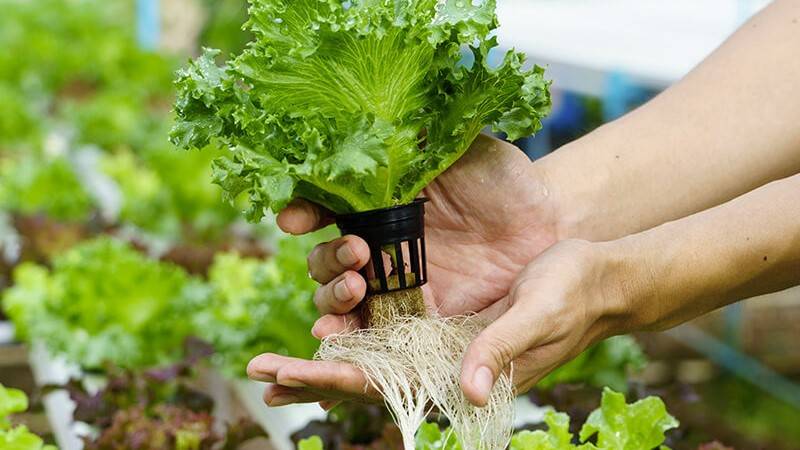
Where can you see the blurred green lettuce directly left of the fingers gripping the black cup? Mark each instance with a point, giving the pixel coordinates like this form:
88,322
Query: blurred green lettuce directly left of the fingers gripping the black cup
257,306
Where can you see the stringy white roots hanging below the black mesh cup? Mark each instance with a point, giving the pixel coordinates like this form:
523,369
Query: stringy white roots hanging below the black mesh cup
415,364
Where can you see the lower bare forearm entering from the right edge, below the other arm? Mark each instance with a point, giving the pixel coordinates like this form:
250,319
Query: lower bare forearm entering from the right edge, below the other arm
682,269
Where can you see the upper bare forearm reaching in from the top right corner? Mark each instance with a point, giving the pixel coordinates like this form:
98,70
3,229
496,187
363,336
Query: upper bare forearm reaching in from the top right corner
727,128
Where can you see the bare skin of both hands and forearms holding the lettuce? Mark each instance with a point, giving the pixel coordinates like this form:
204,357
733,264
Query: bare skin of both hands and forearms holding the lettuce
683,206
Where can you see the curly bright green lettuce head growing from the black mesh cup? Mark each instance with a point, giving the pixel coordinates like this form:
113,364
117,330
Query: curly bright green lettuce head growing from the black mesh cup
357,104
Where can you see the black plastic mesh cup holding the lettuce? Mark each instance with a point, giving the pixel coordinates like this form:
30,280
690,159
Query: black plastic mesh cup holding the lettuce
396,239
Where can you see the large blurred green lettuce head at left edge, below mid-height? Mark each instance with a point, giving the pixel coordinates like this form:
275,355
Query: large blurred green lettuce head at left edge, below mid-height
104,302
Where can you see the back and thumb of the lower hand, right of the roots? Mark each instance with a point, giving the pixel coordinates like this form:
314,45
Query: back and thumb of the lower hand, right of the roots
571,296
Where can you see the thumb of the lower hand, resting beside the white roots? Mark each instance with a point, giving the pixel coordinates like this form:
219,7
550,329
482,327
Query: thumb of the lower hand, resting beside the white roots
492,351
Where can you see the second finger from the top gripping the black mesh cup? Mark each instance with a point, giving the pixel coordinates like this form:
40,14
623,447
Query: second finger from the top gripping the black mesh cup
331,259
